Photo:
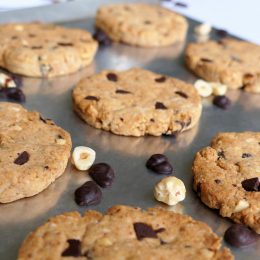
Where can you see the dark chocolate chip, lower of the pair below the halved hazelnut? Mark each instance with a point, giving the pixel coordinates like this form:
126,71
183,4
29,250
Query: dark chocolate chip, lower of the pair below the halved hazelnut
88,194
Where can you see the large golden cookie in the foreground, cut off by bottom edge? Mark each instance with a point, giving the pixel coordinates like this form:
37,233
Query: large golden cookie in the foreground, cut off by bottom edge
123,233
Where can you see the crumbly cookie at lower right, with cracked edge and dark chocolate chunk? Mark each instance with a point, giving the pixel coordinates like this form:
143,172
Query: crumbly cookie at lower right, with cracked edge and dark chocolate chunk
226,176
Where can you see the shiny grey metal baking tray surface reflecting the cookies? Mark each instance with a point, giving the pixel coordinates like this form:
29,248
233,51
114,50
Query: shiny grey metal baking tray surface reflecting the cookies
127,155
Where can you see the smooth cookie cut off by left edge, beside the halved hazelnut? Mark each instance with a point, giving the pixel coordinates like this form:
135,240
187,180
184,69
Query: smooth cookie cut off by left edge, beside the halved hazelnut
33,151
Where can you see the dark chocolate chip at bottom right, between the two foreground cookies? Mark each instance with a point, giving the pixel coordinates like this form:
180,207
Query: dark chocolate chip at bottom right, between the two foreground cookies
240,236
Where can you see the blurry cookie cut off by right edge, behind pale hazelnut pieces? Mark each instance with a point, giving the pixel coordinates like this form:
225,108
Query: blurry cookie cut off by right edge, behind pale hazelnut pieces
231,62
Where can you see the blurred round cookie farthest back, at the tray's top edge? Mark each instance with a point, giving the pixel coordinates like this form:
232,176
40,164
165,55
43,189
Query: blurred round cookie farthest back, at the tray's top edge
141,24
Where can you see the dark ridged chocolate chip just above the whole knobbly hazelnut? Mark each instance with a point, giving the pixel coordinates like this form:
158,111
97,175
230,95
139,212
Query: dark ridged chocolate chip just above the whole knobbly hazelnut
159,163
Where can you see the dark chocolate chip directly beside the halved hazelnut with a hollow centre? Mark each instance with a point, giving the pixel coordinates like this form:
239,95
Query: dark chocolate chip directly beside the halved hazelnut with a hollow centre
102,174
